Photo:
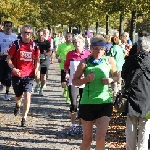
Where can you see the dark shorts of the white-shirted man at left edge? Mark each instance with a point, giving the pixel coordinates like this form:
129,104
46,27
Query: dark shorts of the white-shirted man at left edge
5,73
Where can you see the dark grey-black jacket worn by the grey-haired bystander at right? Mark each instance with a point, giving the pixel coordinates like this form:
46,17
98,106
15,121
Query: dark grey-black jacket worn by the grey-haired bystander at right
139,96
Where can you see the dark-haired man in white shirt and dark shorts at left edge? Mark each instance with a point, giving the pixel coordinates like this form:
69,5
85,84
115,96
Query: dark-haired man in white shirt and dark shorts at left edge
6,39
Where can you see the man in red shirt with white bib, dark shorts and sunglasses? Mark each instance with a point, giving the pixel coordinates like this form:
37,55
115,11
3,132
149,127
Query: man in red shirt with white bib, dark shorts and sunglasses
24,64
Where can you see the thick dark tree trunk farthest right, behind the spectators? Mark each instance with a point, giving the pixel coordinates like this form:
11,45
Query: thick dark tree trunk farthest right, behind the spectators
133,27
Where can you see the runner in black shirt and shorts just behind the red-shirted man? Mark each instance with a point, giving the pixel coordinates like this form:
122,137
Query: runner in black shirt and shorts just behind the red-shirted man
44,46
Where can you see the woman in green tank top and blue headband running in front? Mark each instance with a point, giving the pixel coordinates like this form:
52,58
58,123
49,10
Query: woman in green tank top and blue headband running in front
96,103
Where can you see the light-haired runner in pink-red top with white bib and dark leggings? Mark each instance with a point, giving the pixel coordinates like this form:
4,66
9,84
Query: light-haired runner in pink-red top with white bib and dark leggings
73,58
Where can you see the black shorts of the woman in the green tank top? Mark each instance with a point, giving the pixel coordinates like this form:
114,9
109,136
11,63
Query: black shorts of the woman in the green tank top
90,112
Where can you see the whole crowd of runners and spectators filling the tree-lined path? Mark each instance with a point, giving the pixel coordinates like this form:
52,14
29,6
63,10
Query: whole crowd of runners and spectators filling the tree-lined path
90,65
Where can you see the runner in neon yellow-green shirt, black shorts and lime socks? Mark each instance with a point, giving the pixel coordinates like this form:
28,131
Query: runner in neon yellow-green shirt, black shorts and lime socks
61,53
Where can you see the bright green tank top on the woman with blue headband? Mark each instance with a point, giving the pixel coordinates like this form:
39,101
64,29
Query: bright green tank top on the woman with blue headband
96,92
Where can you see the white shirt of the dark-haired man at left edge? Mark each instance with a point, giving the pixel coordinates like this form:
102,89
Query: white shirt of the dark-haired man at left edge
6,42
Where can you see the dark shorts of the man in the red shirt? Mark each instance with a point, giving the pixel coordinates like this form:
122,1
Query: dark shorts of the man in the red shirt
23,84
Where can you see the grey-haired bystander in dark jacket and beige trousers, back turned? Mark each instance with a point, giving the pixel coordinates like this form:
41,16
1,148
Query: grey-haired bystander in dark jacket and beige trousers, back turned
139,96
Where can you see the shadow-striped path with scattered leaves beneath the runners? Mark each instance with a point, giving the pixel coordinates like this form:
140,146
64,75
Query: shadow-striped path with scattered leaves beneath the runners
48,121
